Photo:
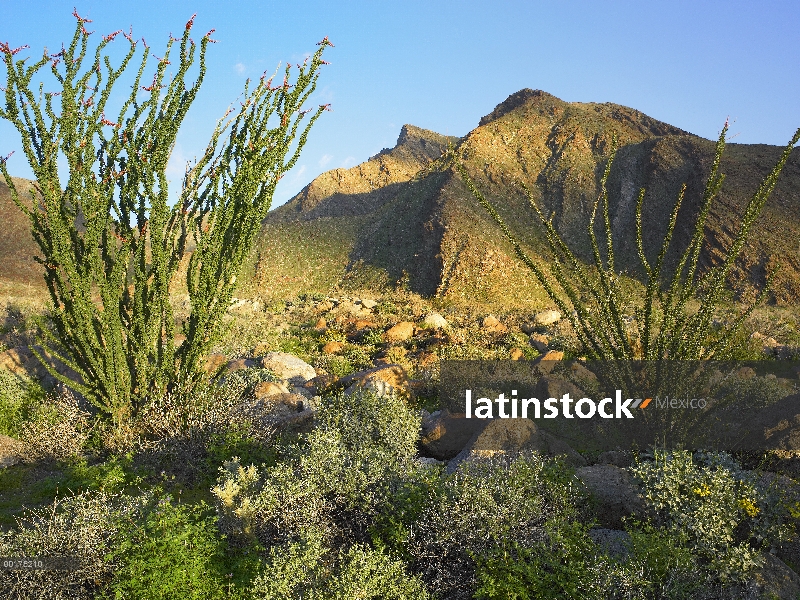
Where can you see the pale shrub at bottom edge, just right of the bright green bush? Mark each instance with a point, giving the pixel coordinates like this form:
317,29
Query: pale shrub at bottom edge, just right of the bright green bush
309,569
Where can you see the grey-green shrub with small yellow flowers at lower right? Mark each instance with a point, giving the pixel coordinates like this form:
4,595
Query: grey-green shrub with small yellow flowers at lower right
722,512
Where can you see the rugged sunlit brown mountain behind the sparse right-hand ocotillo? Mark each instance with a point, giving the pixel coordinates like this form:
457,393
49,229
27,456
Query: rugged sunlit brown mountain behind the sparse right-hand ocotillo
382,222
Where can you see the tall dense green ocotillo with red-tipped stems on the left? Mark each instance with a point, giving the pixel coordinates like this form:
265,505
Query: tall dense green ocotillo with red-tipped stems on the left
110,241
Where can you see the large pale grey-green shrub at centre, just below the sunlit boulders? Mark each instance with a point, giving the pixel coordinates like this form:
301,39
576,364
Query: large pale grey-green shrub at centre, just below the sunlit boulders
332,483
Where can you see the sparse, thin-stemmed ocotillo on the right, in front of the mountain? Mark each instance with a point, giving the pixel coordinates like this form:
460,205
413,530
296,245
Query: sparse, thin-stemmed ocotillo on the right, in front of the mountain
663,326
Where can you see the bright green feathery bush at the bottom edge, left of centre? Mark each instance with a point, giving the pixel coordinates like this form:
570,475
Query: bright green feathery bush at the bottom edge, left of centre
174,551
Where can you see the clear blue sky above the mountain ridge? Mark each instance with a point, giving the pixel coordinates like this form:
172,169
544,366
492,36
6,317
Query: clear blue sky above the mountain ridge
442,64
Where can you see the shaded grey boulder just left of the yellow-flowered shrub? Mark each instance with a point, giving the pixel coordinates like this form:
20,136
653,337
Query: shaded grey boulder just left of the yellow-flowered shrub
615,492
